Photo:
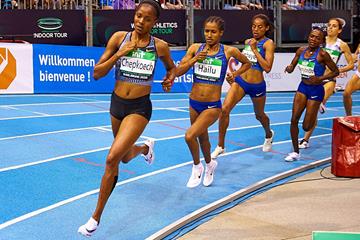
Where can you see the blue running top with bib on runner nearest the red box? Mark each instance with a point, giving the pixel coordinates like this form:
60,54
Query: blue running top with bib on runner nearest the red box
310,66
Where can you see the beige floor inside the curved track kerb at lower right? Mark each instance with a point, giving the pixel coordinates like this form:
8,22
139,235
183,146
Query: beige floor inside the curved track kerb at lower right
291,211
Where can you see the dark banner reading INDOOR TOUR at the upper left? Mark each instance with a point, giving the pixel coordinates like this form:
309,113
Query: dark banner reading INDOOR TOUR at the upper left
44,26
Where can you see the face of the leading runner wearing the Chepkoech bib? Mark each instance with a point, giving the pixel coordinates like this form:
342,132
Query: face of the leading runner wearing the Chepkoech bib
144,19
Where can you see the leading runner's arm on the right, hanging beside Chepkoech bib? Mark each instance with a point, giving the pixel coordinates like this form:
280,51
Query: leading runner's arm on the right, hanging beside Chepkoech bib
165,57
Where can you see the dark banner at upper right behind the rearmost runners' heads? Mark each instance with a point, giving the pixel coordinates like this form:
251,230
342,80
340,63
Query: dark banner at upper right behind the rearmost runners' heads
296,25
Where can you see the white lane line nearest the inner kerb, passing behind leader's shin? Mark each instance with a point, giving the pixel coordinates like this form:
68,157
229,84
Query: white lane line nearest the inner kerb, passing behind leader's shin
56,205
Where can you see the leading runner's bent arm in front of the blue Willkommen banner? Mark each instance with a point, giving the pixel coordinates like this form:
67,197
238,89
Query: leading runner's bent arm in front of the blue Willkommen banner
111,54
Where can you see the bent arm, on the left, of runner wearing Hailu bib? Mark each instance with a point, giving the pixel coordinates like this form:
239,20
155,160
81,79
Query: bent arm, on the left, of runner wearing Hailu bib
190,59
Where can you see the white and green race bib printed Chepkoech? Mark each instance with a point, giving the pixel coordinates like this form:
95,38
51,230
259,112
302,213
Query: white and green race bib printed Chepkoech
138,64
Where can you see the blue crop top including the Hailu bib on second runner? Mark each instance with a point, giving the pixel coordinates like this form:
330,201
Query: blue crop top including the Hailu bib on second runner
212,69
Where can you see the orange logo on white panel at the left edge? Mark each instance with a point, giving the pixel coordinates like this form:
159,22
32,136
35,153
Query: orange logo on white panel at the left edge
7,68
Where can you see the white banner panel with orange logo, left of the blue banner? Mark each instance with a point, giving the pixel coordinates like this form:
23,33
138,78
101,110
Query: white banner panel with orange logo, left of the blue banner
16,68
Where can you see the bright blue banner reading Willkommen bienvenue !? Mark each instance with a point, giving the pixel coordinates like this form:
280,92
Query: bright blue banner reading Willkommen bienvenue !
66,69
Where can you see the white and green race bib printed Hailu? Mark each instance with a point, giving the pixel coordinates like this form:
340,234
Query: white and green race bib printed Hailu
208,69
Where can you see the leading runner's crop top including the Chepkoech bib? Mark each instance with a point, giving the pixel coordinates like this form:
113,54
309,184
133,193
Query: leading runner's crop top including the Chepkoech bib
138,65
